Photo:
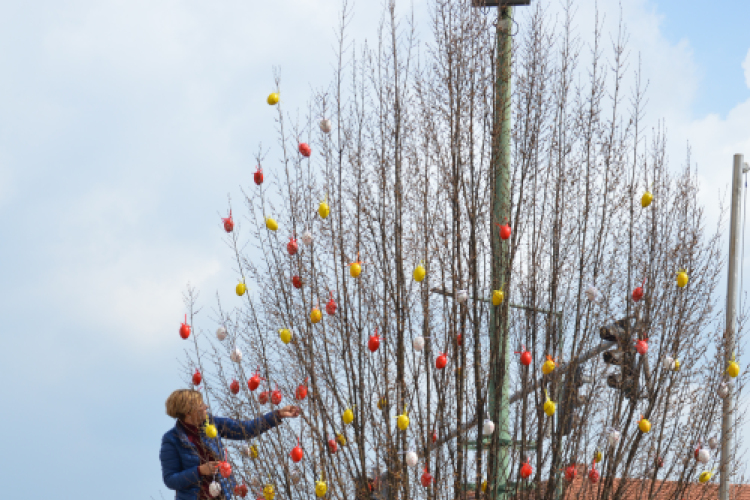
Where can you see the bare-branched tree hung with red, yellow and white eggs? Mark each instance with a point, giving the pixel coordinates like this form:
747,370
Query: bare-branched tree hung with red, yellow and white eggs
364,290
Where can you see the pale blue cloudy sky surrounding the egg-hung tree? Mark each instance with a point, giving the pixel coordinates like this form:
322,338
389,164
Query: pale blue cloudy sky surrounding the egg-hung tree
124,126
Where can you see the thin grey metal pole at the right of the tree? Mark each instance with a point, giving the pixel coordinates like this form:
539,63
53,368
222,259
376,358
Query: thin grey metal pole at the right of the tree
727,440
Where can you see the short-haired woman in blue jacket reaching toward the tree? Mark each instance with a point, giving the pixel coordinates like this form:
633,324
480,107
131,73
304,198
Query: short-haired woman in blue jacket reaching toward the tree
190,459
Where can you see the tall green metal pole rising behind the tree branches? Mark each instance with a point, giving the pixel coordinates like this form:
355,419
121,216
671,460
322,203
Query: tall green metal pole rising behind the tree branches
500,178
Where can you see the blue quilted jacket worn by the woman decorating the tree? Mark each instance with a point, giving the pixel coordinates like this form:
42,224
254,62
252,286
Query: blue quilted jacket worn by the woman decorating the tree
180,460
